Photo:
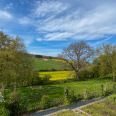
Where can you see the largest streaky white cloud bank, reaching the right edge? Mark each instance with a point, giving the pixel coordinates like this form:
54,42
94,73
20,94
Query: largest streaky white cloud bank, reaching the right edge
96,23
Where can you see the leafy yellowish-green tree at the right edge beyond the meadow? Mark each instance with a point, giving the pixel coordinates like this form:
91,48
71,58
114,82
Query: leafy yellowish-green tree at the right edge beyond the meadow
107,58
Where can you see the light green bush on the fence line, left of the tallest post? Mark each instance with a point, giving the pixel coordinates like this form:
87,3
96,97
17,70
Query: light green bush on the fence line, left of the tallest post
45,101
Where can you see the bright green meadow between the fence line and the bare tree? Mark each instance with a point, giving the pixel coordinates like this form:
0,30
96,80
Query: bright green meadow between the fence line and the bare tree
57,91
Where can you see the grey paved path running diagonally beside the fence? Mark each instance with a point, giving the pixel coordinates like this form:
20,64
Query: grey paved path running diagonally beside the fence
70,106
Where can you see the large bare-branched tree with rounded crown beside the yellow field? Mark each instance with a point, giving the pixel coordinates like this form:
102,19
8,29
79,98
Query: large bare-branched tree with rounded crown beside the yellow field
80,53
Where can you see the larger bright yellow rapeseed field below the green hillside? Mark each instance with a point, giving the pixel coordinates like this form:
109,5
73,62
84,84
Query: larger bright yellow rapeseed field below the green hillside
57,75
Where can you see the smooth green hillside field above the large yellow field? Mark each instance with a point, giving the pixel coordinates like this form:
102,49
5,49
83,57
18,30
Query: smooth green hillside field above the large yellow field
39,64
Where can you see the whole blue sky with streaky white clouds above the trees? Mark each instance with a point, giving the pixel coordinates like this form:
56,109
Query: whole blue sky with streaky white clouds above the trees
48,26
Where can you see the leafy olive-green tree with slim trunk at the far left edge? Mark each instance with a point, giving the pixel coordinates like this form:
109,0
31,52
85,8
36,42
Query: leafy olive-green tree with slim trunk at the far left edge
5,59
